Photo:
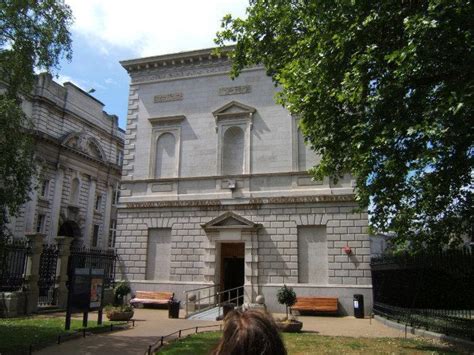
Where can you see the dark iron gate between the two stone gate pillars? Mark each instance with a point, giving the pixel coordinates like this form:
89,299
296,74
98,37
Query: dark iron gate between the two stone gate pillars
47,275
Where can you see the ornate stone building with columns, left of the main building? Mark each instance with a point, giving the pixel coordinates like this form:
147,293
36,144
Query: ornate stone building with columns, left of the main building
78,151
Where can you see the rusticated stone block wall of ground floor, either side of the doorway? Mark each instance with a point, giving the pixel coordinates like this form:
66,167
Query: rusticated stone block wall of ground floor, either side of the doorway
277,241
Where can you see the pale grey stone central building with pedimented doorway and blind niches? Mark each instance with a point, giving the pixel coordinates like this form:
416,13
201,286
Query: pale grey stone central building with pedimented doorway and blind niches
215,189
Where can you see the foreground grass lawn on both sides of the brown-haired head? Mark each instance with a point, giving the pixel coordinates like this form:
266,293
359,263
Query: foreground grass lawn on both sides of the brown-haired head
307,343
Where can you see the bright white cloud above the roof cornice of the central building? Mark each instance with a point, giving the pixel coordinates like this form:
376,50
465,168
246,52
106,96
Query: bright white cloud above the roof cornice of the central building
152,27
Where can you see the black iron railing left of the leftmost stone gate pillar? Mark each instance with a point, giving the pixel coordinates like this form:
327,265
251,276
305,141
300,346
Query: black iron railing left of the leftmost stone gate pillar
13,260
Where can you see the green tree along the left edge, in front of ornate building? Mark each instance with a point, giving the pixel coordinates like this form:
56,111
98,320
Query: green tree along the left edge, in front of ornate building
34,35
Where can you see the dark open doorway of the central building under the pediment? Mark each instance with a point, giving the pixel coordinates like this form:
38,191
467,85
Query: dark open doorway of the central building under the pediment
233,270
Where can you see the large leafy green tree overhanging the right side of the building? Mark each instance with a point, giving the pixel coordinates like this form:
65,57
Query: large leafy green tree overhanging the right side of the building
384,90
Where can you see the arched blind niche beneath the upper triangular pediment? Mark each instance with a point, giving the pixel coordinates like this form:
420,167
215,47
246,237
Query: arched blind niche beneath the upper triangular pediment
233,155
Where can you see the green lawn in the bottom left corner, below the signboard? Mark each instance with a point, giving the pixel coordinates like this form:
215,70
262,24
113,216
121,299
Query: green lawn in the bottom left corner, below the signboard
17,334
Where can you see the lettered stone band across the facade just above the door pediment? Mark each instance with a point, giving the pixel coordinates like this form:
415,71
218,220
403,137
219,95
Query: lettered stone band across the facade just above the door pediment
253,203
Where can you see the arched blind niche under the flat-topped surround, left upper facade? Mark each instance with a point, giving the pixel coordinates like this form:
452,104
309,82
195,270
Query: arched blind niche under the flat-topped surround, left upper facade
165,157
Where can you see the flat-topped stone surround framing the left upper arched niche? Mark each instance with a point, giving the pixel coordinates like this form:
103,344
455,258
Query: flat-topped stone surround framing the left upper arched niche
160,126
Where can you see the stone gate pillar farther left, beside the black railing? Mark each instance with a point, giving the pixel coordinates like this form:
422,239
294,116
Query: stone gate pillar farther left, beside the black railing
32,271
